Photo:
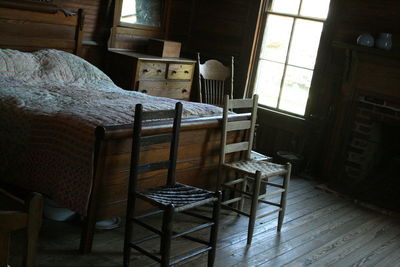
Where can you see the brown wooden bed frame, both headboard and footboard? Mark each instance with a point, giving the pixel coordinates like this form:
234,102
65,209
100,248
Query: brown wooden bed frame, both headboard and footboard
29,26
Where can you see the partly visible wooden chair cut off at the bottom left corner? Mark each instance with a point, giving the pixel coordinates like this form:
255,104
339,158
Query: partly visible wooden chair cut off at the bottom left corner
17,214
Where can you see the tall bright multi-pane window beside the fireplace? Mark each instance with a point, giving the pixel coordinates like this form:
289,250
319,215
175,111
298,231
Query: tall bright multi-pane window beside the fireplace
288,51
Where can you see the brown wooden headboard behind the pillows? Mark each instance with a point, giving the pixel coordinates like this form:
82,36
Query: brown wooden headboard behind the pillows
30,26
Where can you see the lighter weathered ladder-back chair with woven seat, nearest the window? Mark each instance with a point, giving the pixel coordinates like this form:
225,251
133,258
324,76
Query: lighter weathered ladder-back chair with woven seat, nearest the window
249,171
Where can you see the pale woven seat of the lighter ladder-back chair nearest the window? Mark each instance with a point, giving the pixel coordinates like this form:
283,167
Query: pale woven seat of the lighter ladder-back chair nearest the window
266,168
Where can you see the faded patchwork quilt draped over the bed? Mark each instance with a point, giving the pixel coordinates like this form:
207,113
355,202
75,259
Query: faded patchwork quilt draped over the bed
50,104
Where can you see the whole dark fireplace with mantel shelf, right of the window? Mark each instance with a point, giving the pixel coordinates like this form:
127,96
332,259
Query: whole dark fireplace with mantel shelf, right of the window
362,158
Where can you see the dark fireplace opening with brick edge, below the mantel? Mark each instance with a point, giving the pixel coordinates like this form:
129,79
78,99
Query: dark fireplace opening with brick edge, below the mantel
372,165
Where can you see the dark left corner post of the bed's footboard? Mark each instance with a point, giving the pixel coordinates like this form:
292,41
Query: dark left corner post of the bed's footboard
89,221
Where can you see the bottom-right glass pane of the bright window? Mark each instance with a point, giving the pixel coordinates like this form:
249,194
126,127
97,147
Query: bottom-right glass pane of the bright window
295,90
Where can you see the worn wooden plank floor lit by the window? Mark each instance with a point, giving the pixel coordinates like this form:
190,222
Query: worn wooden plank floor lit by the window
320,229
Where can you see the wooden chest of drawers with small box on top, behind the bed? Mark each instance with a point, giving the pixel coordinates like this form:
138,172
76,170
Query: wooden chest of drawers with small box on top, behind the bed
157,76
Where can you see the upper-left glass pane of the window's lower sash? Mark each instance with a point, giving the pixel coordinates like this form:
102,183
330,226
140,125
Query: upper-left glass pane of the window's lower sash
276,38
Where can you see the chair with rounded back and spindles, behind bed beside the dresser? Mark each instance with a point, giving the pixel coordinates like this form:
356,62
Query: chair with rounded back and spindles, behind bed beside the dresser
213,76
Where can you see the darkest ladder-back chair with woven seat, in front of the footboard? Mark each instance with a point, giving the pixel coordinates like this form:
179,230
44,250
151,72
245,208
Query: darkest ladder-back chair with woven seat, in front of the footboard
170,198
